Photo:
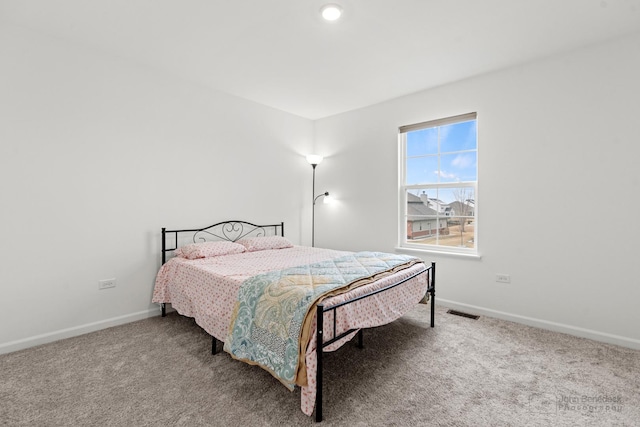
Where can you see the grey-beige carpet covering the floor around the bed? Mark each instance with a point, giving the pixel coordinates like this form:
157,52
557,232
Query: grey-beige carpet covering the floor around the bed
464,372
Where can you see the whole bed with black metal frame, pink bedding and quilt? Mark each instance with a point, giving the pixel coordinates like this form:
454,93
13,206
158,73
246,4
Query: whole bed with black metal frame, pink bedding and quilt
281,306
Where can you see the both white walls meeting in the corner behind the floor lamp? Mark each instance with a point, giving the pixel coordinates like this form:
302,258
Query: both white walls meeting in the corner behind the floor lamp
96,154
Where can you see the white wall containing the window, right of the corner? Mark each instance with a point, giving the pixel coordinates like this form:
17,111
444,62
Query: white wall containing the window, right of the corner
558,189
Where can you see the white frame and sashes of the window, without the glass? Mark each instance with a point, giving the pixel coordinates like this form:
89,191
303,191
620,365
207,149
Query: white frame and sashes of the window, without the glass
403,188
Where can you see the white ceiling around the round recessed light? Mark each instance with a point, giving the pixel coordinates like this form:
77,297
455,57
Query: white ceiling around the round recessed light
281,53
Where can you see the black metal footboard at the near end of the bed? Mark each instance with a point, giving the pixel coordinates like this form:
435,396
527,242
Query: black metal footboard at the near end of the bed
321,344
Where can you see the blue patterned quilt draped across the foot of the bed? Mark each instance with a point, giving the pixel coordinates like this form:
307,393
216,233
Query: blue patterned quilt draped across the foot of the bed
267,322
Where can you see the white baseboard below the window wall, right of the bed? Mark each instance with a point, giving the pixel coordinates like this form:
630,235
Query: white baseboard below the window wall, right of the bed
543,324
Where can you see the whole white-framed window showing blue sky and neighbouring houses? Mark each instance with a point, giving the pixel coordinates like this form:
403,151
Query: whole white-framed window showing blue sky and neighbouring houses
438,185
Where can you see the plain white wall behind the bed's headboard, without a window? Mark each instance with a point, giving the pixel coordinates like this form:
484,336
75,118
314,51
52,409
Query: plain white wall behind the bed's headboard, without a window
96,155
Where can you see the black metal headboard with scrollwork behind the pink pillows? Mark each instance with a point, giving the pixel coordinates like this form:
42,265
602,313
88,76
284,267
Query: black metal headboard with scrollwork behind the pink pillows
230,231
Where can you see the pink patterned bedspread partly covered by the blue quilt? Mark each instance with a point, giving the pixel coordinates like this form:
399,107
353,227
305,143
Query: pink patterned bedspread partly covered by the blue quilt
206,290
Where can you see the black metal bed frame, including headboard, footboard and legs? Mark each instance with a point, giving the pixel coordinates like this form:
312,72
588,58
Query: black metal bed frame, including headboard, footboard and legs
235,230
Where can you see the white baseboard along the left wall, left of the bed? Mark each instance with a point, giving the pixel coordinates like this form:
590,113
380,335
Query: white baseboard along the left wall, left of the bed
76,330
